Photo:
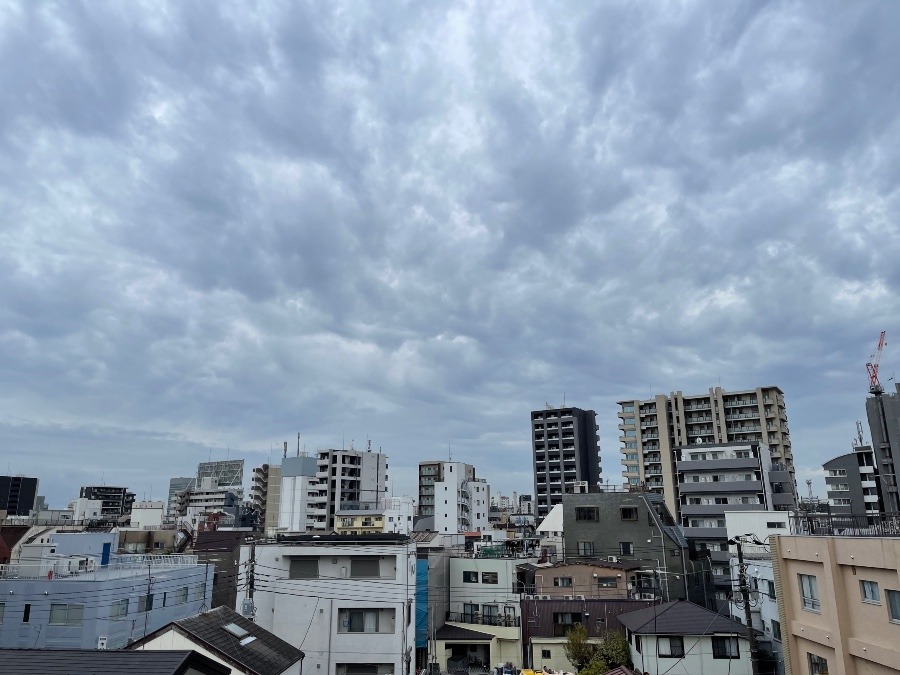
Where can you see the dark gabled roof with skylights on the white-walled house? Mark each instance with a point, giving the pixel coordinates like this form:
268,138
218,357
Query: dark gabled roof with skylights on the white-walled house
266,654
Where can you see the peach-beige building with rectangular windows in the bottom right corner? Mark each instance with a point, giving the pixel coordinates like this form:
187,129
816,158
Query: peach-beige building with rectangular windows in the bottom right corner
839,604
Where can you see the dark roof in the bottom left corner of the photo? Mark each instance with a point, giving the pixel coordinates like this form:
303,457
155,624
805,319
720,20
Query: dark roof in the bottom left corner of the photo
97,662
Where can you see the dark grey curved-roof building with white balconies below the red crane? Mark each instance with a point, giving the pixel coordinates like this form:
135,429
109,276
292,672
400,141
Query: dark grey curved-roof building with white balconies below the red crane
854,484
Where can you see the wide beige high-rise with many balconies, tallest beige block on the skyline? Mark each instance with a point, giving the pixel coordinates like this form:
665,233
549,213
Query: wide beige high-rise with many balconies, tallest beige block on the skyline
651,430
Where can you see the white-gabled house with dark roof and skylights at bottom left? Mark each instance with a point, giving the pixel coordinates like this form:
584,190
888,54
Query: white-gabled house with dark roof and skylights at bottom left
229,639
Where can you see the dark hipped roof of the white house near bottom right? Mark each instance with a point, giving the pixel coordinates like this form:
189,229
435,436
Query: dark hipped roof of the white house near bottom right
679,617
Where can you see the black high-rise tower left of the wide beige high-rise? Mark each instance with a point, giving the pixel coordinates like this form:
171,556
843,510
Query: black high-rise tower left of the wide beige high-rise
566,451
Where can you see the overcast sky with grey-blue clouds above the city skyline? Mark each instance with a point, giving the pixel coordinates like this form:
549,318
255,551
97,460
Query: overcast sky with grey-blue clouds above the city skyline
226,223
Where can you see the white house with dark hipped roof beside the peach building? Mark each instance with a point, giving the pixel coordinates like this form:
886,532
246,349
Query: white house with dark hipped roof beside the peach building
691,637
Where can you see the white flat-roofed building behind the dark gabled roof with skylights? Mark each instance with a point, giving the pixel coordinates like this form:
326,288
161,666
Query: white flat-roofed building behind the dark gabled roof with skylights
346,601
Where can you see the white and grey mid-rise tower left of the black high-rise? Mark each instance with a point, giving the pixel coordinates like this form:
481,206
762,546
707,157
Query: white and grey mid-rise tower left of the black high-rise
450,493
